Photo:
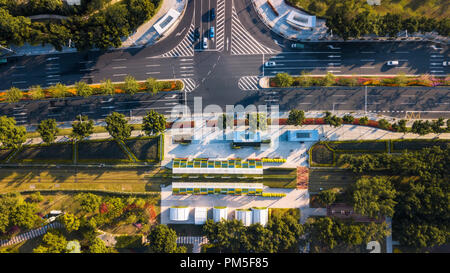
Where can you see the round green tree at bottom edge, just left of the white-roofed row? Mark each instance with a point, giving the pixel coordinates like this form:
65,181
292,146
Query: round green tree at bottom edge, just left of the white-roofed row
163,239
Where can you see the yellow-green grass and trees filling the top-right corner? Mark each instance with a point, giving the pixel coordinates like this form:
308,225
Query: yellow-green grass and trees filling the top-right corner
356,18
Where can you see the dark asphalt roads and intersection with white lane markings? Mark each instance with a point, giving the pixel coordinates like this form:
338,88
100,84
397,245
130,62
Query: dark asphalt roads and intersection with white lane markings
227,72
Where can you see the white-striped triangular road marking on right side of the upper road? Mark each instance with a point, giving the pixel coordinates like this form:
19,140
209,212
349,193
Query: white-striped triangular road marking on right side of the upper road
242,43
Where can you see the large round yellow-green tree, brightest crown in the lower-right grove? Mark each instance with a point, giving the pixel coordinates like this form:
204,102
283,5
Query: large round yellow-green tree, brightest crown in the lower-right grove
374,197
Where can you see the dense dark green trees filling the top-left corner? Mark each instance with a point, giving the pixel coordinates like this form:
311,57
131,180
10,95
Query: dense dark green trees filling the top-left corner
95,24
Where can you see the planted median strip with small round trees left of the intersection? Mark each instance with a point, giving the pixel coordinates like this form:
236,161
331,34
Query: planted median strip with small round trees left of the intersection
129,86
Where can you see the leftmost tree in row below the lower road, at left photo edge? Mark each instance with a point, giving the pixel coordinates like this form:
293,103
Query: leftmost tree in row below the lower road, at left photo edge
11,136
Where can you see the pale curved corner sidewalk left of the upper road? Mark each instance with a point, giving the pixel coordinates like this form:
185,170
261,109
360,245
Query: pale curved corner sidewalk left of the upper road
146,34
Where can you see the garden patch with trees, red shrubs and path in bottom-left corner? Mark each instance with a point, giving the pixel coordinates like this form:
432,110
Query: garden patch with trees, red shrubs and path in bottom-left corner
86,215
